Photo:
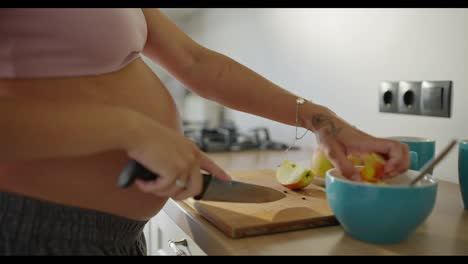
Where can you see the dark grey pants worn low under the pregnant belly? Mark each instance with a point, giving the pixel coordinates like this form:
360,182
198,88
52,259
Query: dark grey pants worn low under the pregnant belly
35,227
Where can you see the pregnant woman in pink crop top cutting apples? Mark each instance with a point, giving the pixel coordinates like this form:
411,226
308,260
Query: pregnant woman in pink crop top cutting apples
77,102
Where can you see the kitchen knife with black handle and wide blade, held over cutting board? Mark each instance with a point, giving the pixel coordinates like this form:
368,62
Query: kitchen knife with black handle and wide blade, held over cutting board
213,188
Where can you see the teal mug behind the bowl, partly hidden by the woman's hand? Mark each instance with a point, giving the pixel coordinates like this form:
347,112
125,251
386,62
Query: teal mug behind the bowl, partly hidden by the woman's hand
424,147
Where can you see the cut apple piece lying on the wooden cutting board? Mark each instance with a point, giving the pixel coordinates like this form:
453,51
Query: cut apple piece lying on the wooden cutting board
293,176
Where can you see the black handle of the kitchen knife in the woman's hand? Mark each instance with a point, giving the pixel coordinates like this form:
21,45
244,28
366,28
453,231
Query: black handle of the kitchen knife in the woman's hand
134,170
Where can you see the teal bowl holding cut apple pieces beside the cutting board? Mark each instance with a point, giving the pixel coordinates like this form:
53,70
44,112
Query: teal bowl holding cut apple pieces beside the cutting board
381,213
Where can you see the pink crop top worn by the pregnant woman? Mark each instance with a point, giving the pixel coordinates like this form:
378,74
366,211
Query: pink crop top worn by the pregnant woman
56,42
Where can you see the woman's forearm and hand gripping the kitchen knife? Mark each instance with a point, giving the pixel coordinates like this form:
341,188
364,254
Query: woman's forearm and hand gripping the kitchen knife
37,130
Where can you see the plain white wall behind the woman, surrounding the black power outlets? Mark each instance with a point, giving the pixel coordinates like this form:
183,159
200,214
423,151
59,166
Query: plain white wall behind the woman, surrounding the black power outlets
336,57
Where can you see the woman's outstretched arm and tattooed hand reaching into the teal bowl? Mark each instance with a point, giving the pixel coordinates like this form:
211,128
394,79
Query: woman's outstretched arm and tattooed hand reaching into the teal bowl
219,78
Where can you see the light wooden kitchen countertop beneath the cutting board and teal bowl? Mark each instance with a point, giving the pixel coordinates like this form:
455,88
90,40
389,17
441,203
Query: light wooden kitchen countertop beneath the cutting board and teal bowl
445,232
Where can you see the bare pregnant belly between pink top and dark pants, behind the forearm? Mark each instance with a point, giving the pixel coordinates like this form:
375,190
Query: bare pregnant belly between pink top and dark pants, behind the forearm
91,181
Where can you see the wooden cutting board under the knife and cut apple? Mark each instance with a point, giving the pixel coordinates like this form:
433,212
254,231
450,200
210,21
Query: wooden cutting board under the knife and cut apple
302,209
